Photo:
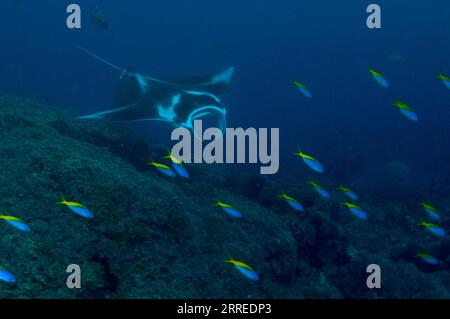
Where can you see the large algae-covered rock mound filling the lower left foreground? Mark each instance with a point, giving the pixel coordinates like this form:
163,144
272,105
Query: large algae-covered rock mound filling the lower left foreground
150,237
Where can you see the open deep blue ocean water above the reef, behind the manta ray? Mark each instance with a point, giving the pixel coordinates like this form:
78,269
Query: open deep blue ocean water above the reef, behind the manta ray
349,124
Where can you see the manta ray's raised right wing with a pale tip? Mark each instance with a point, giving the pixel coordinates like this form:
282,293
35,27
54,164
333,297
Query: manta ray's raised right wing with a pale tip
214,84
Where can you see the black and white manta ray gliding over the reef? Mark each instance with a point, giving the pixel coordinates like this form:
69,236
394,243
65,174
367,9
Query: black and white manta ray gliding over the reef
179,102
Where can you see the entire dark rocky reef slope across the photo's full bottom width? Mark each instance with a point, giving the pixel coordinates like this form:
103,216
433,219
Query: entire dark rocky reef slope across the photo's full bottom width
156,237
